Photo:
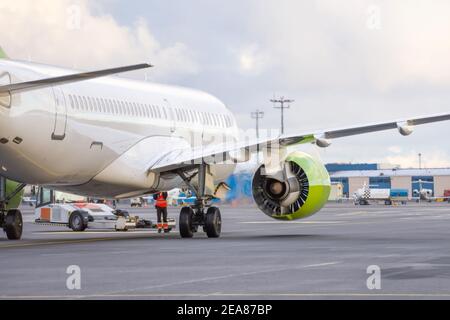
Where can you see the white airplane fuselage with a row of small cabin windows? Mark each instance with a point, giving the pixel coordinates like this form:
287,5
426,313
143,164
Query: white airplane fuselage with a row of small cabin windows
101,137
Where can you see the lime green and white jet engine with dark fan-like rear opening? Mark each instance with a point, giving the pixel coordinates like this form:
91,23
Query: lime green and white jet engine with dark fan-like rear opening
303,191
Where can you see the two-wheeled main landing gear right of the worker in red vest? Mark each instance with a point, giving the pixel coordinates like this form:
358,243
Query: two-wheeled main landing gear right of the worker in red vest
193,217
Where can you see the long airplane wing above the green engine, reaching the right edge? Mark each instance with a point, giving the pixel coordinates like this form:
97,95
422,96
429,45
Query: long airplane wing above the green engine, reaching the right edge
221,152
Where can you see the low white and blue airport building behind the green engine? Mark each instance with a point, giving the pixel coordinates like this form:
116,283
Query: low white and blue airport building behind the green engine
355,176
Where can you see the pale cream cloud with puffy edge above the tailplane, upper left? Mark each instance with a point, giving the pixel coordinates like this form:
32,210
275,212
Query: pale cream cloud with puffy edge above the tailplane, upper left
75,34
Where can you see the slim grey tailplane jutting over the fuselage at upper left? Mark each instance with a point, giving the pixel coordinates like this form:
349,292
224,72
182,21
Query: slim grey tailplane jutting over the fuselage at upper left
49,82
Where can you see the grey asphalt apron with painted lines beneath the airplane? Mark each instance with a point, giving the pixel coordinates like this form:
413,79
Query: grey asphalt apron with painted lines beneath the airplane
326,256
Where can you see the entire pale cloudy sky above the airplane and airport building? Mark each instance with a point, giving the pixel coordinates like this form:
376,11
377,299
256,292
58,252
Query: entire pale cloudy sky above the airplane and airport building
344,63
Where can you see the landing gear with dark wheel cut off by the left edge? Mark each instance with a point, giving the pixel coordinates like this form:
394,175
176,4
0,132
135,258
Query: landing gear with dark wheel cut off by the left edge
10,219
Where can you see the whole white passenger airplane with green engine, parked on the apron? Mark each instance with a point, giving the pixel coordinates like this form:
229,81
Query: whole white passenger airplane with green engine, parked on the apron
93,134
